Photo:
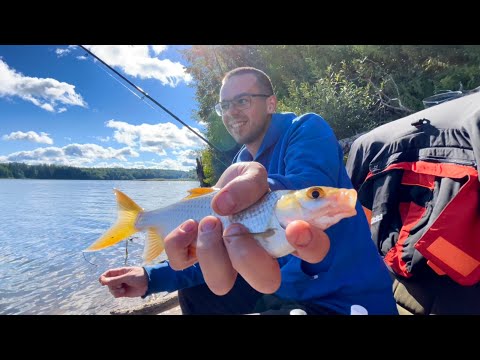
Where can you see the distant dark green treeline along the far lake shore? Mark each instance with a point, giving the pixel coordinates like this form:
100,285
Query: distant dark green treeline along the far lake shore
24,171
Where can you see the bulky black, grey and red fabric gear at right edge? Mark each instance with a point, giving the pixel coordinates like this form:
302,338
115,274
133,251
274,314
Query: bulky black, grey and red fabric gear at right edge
418,181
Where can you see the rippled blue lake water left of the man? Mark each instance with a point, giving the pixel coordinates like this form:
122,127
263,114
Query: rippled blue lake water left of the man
45,225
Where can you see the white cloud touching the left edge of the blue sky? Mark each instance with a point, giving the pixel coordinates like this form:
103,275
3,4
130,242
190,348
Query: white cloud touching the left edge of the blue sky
43,92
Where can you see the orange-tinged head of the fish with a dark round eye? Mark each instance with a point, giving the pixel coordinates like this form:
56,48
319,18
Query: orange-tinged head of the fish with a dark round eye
320,206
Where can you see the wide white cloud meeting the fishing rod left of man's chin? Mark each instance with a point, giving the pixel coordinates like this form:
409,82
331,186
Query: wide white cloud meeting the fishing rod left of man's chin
155,138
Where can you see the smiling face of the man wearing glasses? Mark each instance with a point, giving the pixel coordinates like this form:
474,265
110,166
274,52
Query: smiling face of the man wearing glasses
248,125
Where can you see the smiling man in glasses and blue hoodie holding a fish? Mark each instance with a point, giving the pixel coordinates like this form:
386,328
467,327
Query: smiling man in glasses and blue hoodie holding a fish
330,271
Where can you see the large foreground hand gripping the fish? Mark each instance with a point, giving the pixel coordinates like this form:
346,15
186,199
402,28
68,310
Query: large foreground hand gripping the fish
223,254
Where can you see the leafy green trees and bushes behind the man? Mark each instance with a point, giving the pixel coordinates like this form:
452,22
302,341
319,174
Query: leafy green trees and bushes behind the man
354,87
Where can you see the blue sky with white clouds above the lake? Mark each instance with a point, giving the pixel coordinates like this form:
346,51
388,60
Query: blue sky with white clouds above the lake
58,106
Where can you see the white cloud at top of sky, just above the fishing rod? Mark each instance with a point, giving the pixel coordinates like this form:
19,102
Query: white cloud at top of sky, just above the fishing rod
135,60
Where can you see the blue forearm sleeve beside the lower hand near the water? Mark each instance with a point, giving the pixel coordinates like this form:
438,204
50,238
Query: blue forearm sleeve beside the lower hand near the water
161,277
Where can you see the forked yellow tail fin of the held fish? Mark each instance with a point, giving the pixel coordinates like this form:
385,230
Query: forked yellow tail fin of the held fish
128,212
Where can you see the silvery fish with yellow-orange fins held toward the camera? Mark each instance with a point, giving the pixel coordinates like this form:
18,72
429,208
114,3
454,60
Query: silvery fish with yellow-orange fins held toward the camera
266,220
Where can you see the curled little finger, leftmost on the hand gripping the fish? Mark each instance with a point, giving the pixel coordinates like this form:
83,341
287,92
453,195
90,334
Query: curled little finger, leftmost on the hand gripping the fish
180,245
